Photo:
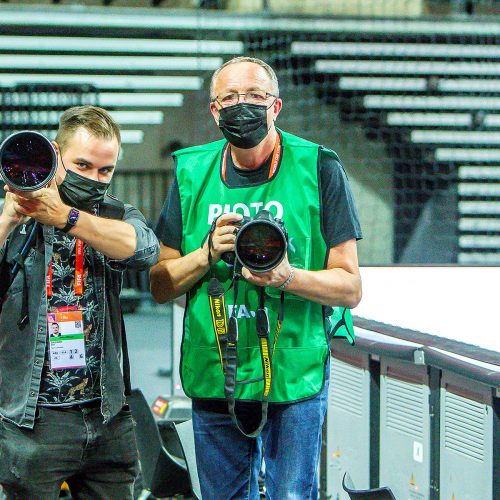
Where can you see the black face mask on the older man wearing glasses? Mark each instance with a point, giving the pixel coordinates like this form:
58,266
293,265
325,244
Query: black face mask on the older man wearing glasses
244,125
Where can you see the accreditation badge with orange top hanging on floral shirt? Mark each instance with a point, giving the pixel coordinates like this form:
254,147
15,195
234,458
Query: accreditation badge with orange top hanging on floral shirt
66,340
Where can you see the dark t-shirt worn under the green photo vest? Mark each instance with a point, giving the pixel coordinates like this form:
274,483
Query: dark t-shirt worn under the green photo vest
339,223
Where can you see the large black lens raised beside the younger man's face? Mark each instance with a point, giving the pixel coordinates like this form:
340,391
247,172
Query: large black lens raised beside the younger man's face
28,161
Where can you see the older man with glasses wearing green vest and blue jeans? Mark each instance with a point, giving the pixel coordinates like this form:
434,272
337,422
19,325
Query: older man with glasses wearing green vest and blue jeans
259,391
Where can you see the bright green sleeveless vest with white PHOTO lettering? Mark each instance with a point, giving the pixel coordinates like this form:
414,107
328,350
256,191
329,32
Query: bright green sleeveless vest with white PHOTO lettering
302,347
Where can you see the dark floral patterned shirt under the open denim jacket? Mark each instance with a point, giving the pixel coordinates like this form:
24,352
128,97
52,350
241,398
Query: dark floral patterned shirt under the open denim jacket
66,387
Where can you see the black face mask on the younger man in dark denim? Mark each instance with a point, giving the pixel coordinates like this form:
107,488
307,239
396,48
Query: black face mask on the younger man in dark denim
80,192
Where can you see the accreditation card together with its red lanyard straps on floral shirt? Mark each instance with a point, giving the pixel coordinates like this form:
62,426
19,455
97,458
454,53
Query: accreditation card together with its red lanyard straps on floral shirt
65,329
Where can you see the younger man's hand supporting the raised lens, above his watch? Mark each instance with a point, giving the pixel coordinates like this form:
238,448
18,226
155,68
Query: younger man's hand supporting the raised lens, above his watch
44,205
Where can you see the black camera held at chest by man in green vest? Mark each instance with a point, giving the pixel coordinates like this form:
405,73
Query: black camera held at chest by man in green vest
261,243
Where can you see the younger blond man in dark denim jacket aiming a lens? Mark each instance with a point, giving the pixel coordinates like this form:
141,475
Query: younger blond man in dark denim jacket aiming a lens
62,406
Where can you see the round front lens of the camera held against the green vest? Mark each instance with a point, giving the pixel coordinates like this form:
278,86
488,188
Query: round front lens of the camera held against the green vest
260,245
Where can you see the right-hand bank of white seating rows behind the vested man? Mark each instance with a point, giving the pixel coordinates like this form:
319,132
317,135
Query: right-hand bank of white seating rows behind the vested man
435,104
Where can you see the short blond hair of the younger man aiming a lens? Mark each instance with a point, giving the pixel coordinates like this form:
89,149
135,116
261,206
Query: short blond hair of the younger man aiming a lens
95,120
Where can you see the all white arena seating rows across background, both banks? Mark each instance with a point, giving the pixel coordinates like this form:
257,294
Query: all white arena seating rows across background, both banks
430,90
